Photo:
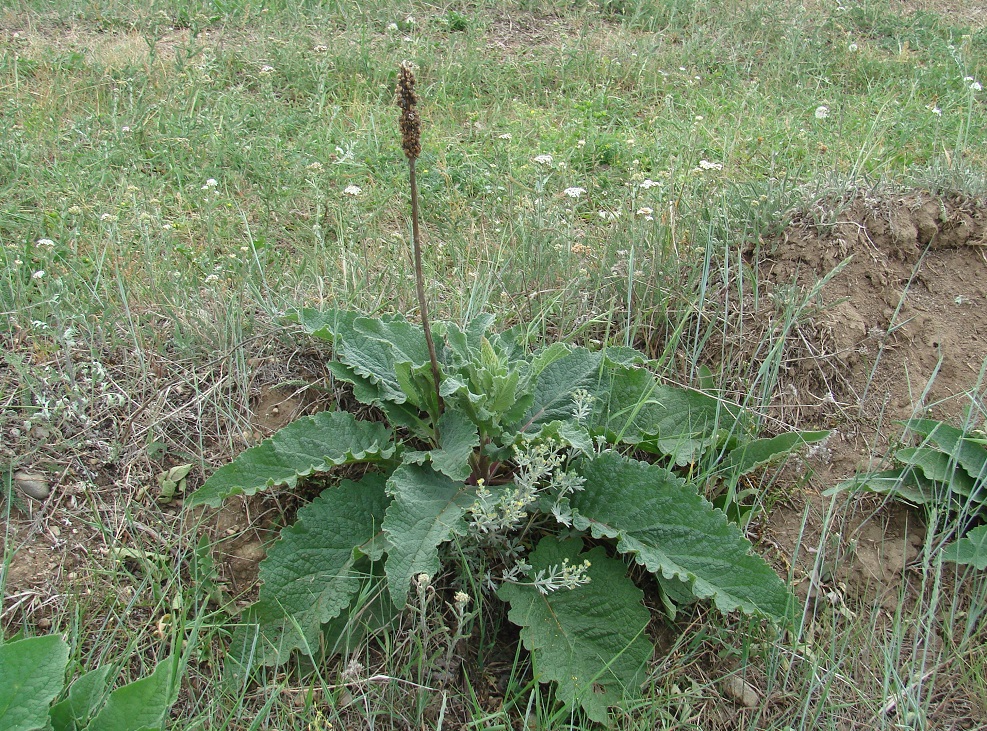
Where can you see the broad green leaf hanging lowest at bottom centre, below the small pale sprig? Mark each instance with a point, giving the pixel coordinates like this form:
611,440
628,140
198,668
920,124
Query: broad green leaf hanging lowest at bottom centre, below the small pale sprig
590,640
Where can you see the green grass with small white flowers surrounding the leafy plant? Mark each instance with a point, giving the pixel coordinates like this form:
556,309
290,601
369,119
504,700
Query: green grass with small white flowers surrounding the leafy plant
156,320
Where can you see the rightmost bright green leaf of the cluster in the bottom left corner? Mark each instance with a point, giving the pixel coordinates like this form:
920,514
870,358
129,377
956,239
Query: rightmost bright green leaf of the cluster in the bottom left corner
143,704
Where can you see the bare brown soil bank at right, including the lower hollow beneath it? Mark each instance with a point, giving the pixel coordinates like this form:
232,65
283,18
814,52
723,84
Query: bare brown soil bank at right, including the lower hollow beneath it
879,304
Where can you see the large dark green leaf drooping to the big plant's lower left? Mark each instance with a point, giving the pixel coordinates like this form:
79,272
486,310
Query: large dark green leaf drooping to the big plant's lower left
310,576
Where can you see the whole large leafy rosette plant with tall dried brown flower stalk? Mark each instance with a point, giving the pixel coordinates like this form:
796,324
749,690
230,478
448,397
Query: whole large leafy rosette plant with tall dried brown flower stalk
510,473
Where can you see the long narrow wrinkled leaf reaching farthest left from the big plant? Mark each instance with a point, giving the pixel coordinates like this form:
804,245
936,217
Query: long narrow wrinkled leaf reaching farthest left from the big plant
308,445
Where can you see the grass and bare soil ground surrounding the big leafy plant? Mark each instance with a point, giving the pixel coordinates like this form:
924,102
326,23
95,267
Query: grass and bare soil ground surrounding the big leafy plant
869,304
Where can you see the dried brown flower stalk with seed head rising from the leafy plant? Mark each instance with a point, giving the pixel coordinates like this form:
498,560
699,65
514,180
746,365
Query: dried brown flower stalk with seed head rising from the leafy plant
411,134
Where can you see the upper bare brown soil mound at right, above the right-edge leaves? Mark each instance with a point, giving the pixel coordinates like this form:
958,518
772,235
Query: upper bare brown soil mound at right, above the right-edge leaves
887,300
